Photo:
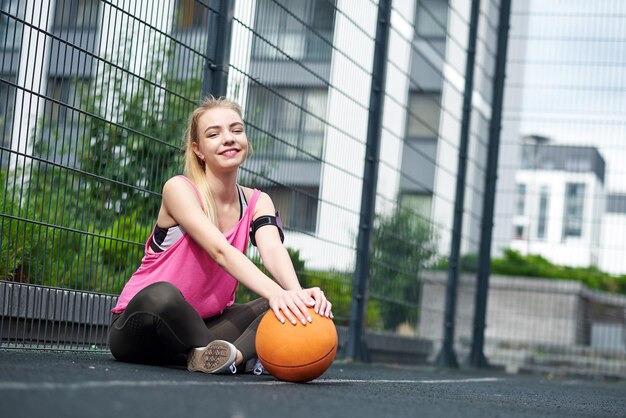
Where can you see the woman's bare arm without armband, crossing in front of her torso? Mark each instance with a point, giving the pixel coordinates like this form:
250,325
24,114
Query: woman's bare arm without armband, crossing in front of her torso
181,204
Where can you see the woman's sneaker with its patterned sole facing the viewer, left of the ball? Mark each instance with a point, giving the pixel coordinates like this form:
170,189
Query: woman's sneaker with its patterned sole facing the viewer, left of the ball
217,357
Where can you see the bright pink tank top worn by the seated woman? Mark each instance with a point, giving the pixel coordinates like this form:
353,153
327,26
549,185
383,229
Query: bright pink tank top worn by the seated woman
203,283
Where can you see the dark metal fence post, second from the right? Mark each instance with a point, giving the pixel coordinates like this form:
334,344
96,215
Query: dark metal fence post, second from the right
446,356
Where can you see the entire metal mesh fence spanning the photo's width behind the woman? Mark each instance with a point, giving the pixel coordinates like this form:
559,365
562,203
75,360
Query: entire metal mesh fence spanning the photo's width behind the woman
95,96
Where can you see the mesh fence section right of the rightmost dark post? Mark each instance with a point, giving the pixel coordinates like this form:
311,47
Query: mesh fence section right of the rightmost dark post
560,182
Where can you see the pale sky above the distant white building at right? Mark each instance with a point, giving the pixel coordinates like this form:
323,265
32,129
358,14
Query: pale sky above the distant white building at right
574,76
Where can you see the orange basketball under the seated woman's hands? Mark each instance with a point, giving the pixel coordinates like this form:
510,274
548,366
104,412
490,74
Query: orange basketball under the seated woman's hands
296,353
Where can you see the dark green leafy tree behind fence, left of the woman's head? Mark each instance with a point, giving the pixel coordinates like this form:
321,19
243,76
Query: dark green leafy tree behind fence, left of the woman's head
134,144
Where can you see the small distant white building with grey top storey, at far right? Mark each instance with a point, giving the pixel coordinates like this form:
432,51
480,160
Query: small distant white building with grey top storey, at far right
559,202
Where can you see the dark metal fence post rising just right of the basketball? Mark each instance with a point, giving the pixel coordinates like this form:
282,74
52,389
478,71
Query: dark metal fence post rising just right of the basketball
356,349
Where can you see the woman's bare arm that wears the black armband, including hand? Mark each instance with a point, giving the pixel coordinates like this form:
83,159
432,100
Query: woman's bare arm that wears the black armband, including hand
277,261
